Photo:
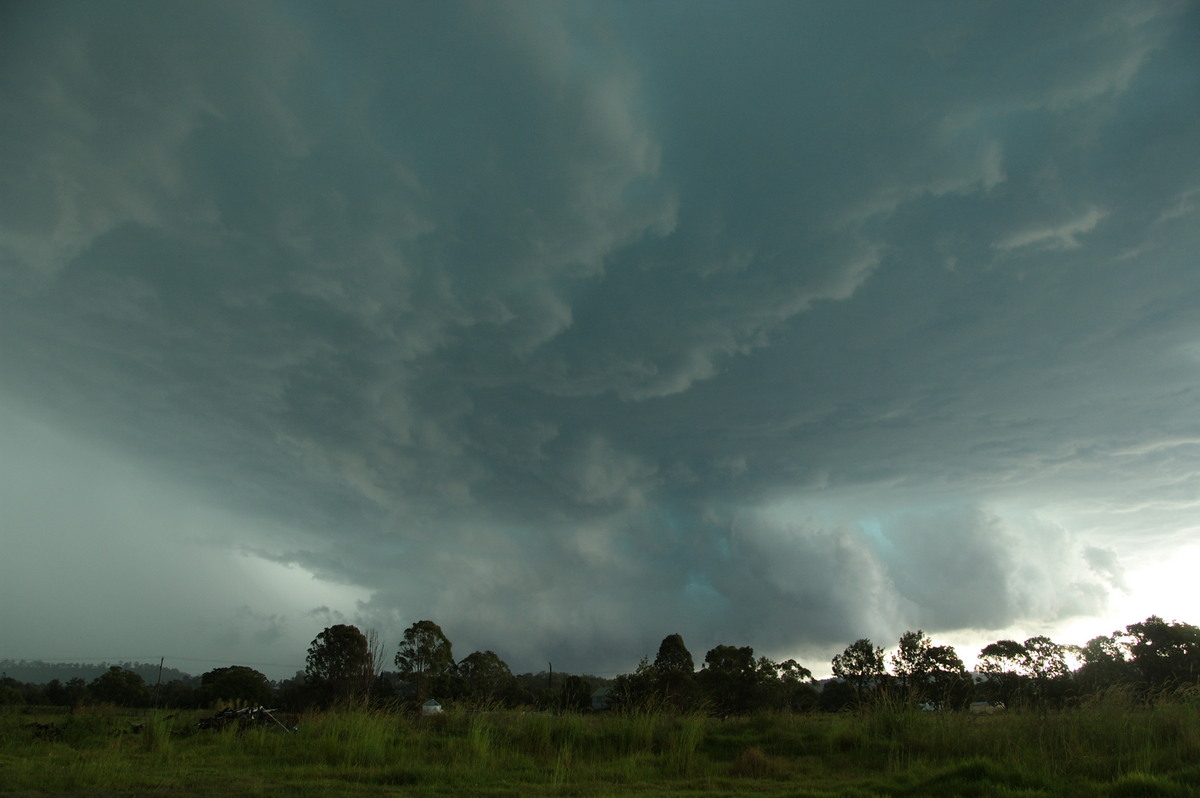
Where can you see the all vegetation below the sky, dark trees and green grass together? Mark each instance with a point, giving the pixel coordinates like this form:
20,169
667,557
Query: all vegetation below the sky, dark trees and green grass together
1118,717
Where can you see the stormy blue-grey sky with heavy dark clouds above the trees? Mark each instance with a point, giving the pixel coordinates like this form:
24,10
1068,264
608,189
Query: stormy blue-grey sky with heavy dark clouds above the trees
571,327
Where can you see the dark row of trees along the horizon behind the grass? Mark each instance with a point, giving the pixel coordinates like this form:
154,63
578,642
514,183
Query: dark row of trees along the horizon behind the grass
349,668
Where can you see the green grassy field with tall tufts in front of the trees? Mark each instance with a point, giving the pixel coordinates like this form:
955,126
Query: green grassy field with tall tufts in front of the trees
1108,748
